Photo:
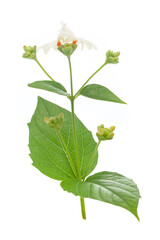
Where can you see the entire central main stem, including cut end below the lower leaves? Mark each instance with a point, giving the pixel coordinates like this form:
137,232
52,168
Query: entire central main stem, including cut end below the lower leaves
75,139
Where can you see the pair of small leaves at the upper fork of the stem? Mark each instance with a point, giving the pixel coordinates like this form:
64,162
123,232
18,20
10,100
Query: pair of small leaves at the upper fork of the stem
94,91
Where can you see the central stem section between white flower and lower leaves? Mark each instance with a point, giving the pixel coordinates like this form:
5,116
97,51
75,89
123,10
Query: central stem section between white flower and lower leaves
73,121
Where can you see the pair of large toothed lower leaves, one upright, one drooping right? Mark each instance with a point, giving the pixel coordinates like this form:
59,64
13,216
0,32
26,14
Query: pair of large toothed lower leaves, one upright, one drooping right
50,158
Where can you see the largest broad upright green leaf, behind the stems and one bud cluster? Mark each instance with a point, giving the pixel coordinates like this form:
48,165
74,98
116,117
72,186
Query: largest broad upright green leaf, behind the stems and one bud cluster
46,149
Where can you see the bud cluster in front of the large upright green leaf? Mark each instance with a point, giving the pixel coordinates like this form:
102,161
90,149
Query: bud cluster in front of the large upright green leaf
55,122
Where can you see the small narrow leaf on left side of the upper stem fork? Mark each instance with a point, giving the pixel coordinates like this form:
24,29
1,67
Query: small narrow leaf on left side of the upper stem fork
50,86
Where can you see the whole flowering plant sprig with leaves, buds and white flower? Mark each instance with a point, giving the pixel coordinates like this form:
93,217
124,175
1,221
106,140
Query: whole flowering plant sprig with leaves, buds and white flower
62,148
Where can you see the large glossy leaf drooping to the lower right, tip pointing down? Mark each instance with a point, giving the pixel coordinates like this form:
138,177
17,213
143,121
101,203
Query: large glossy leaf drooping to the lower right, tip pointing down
108,187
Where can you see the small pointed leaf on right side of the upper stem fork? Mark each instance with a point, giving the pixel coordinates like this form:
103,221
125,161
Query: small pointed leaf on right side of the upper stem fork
99,92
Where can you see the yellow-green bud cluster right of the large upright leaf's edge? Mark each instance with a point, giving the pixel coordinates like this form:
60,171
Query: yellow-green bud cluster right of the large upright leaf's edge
105,133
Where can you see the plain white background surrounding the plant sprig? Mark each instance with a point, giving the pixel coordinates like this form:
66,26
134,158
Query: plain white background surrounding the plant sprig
34,207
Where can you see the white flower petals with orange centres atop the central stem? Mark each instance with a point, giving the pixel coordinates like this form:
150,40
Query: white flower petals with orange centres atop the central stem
66,36
